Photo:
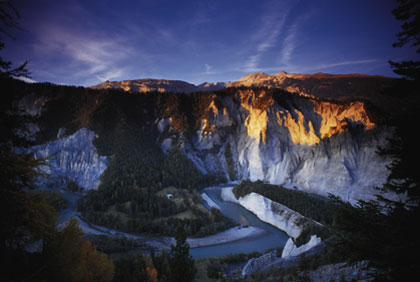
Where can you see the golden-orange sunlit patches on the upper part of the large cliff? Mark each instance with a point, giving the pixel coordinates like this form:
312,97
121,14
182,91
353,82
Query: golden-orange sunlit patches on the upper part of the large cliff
307,123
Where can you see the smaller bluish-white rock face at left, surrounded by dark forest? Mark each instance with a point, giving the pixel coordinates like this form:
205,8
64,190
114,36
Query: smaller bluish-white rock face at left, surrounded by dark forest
73,157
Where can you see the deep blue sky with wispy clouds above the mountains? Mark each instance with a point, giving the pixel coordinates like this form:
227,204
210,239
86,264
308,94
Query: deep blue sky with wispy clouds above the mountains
86,42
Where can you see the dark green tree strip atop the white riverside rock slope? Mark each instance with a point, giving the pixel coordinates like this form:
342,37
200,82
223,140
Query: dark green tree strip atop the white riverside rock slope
313,207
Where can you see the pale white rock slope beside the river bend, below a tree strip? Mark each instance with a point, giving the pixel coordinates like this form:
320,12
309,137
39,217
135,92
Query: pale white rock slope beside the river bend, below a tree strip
268,211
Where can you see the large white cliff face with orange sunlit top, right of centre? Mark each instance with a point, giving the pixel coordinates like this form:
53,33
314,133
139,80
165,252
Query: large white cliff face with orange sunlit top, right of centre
318,147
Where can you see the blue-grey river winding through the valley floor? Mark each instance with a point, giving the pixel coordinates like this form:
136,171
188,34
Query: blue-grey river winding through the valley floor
271,238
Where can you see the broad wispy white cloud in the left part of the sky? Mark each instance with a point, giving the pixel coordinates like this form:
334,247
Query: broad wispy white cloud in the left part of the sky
97,57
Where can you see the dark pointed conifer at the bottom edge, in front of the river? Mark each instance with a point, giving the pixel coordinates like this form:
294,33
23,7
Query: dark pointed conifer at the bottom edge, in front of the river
182,268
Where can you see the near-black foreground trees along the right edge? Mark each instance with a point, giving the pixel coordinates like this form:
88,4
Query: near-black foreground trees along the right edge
384,231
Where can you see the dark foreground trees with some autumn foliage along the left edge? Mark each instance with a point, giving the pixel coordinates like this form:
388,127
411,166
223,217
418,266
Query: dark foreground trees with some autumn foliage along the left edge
31,246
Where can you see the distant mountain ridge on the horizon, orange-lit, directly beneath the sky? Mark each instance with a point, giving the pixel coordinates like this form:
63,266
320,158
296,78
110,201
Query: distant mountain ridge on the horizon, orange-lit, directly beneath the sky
315,85
